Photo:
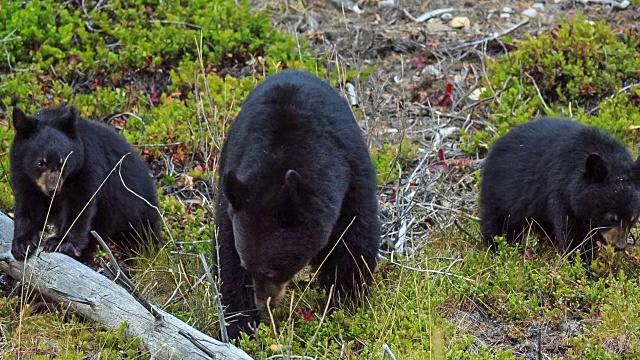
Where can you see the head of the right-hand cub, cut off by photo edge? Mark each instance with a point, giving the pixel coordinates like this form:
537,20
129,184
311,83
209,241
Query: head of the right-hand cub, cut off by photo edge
608,202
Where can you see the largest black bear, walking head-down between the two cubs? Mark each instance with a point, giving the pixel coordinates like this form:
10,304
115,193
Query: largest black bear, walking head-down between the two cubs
297,187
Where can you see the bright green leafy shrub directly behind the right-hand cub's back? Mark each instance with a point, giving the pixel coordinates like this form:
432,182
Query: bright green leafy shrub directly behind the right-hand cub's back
570,72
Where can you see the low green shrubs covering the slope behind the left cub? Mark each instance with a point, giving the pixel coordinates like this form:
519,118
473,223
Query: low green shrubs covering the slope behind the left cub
152,68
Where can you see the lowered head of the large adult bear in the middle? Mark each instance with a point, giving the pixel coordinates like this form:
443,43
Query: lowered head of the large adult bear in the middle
274,237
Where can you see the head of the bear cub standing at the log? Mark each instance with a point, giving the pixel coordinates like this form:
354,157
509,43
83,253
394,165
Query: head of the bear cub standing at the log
50,143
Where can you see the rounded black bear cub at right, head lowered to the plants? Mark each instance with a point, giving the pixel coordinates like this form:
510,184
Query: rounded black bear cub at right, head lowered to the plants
572,183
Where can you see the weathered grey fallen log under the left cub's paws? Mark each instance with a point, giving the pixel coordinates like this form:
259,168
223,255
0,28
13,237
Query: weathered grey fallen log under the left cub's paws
100,299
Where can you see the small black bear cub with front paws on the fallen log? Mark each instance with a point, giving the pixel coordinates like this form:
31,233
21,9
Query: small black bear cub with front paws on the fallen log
41,178
